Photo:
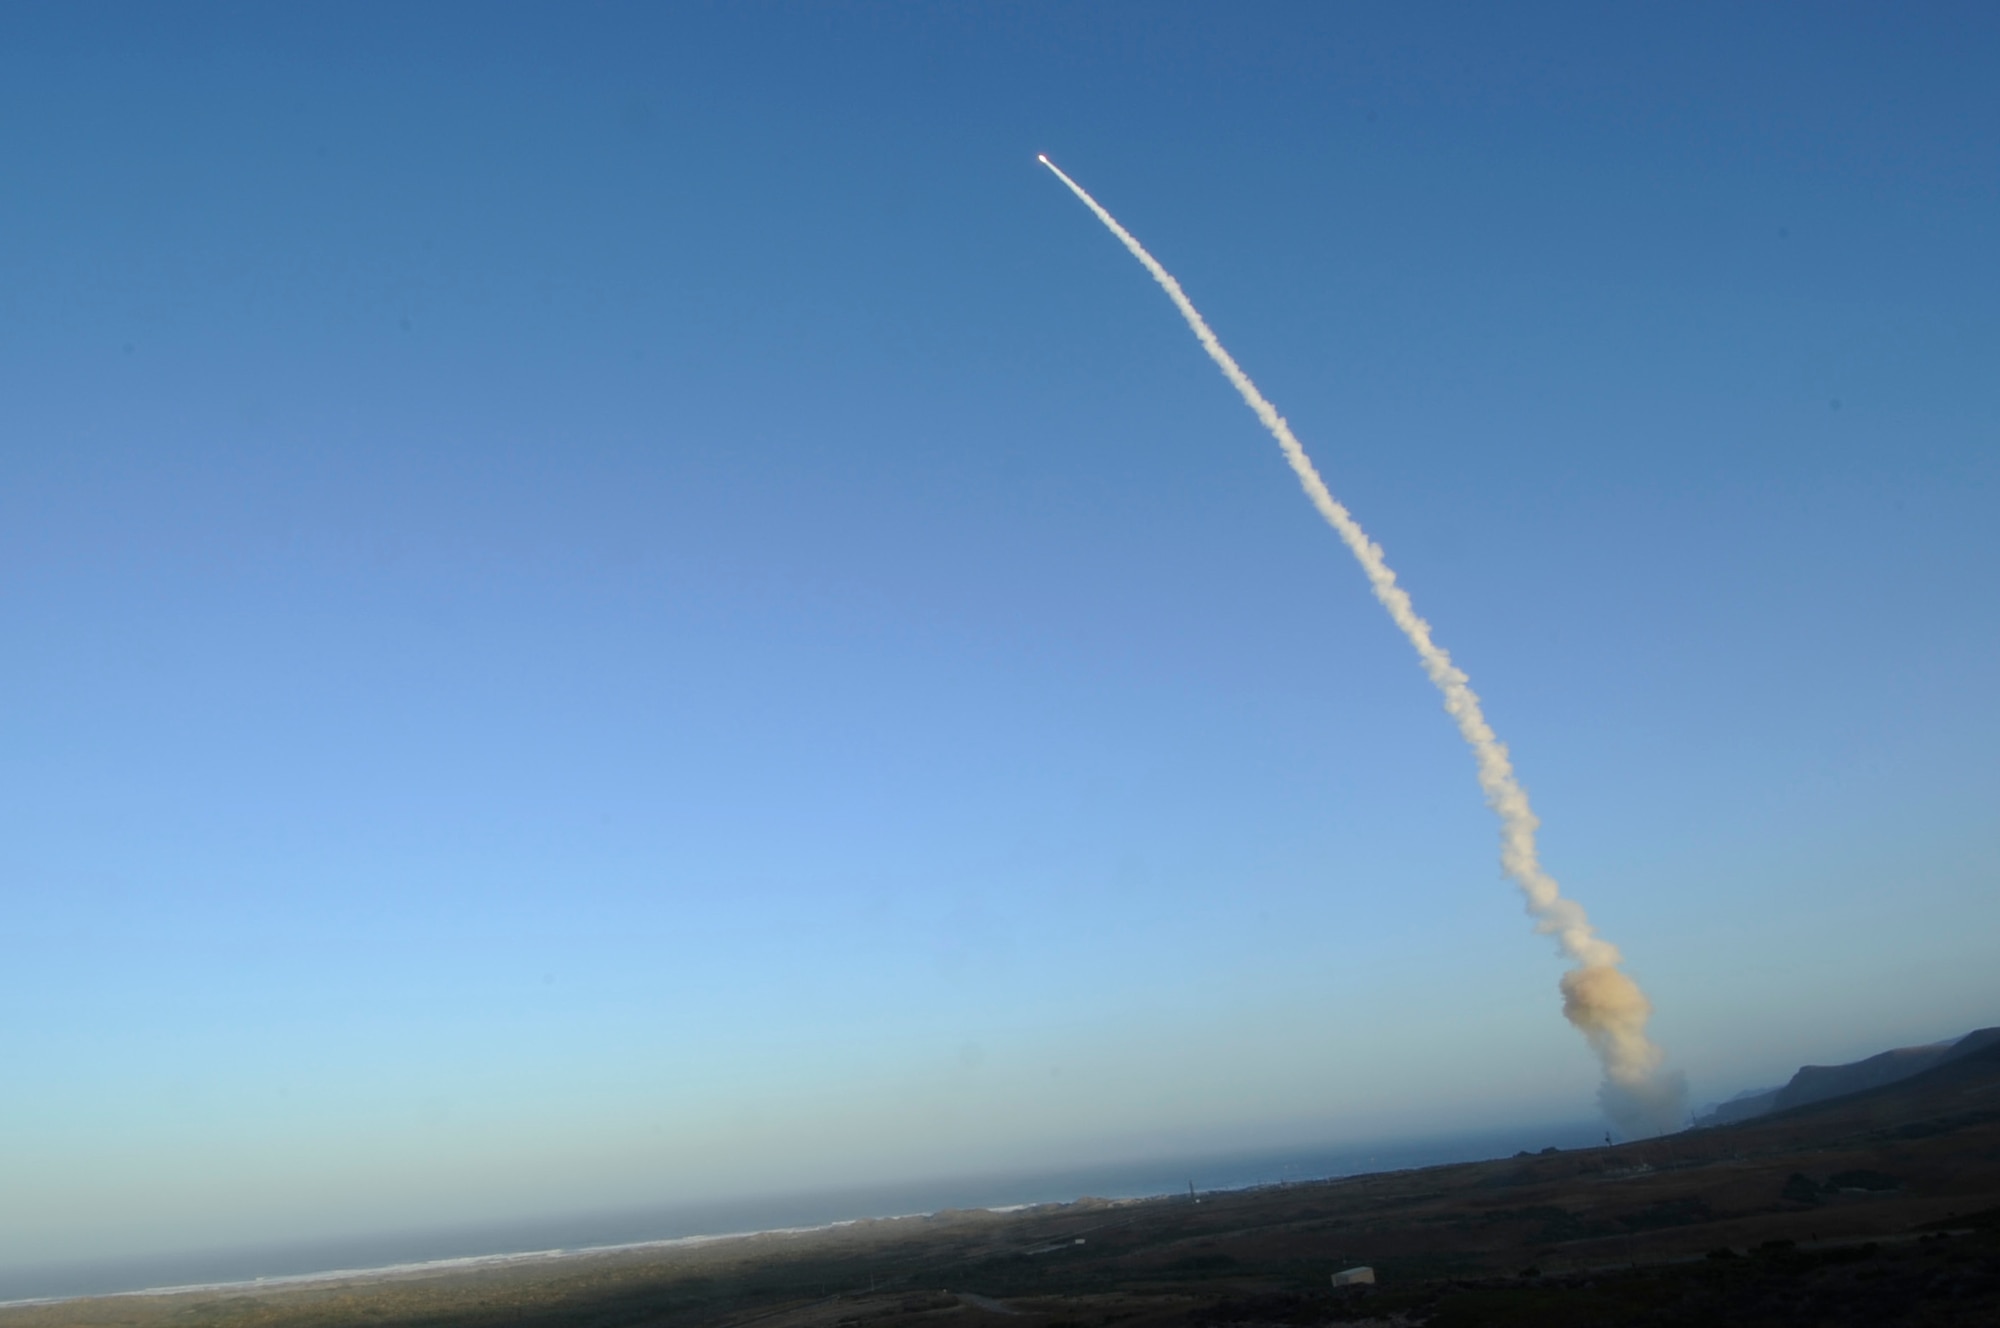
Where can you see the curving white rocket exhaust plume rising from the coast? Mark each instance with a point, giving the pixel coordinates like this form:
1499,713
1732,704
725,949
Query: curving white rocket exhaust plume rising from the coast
1597,997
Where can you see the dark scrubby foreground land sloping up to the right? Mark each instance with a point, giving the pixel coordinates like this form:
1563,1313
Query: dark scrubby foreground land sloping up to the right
1873,1209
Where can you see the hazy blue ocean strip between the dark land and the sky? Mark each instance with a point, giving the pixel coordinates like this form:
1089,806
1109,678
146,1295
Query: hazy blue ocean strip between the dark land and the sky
773,1213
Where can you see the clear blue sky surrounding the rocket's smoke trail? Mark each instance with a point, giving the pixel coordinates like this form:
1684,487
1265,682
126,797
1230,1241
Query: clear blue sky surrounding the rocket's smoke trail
613,605
